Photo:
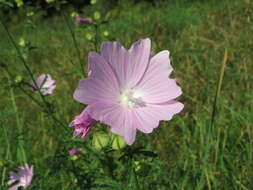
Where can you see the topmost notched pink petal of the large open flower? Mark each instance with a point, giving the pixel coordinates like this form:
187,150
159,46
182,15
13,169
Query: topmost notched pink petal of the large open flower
128,66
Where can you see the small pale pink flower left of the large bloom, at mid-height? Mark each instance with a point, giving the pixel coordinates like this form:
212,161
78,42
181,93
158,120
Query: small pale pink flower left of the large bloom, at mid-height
45,83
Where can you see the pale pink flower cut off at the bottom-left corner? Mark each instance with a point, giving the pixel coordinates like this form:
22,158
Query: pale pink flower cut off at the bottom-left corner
23,176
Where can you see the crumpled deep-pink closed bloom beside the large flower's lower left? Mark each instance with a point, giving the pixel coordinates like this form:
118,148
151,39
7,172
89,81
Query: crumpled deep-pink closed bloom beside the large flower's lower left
82,124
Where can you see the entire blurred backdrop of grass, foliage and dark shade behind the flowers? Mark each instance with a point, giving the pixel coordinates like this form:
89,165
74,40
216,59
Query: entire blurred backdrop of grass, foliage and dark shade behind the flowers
201,35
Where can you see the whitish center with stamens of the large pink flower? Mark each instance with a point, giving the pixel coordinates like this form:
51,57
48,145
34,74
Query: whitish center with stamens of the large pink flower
130,99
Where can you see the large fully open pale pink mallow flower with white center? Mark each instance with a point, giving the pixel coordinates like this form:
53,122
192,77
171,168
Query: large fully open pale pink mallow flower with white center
129,89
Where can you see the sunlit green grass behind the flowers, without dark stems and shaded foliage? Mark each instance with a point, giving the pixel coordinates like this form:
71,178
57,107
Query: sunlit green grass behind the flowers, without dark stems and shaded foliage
191,155
